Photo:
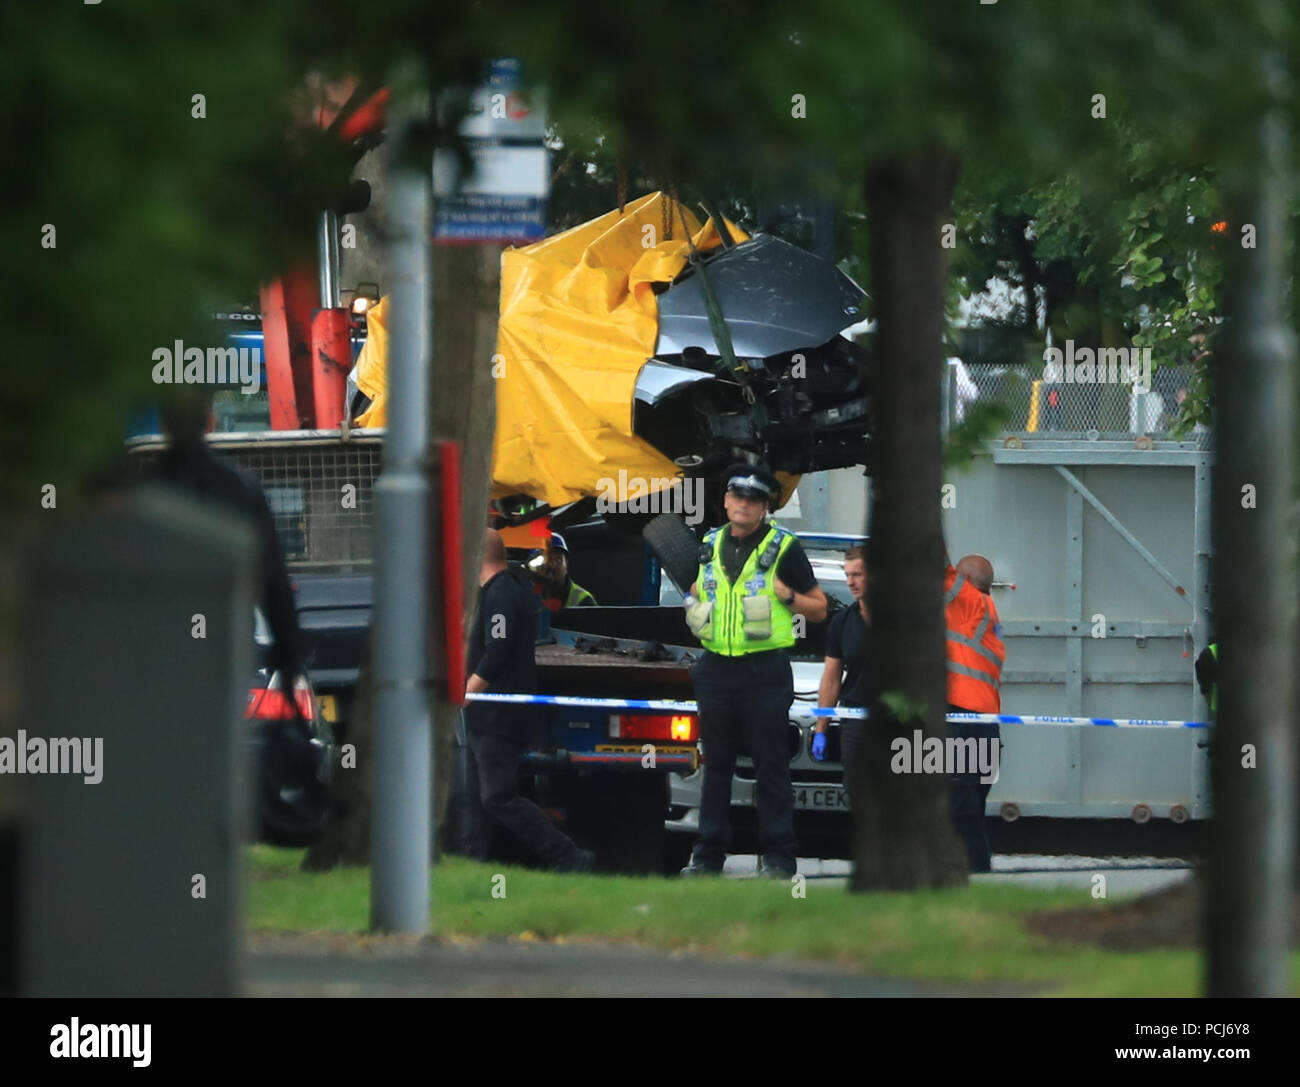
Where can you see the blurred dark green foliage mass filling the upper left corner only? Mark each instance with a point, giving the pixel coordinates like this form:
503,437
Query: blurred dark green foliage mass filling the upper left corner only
166,207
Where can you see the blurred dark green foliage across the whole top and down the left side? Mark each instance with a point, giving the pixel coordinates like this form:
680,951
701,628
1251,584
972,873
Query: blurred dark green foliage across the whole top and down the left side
162,216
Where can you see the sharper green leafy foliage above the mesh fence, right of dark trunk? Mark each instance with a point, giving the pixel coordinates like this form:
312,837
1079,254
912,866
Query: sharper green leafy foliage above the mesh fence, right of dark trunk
1138,265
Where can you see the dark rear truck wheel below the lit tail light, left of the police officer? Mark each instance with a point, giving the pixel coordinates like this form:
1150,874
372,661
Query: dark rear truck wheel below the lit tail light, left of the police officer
621,819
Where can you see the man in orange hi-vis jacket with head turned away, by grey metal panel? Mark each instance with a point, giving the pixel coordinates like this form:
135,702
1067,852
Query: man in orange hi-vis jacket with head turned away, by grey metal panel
976,657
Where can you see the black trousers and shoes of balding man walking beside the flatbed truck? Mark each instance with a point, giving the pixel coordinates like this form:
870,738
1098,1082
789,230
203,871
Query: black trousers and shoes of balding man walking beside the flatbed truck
492,796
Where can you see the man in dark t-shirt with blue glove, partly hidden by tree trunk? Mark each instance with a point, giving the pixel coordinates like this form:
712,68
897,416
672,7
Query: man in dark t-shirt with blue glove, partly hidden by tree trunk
848,678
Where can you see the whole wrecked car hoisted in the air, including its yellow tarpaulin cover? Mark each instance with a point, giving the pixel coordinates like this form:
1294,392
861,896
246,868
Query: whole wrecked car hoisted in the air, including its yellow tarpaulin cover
627,348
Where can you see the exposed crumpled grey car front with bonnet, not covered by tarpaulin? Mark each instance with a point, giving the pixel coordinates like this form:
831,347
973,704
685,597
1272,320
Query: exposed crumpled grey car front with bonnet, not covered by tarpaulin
796,393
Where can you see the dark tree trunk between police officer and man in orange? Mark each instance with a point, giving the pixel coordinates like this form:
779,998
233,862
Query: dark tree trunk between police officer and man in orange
903,830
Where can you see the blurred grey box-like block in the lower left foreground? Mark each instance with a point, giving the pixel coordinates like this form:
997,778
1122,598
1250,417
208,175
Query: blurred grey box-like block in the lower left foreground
141,652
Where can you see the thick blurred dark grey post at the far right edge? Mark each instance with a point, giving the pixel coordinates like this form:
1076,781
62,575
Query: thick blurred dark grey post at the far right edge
1253,833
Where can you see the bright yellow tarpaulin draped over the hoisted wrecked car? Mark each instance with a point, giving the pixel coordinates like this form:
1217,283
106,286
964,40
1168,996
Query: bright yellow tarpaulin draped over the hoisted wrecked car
579,321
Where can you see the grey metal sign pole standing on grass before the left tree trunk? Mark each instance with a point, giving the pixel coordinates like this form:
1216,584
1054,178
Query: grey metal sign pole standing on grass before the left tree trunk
401,837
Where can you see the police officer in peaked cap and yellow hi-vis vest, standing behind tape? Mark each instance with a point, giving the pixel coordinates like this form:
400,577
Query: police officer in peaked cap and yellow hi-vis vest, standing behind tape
753,581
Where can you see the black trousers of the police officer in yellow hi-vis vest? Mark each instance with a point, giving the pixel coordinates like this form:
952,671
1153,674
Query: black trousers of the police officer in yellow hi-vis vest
744,705
